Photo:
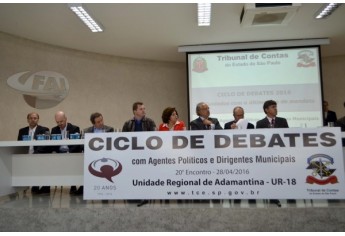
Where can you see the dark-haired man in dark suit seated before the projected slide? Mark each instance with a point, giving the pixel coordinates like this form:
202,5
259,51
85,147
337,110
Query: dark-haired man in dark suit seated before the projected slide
271,120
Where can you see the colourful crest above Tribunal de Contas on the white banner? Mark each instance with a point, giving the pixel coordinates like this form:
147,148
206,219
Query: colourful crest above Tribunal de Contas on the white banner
322,174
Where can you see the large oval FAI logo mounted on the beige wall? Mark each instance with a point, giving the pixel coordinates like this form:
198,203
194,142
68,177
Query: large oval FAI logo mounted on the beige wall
41,90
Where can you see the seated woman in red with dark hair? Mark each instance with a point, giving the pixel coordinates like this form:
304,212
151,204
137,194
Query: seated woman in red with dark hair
170,120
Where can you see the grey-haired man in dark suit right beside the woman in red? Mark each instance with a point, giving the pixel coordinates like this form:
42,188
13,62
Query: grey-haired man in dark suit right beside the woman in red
204,121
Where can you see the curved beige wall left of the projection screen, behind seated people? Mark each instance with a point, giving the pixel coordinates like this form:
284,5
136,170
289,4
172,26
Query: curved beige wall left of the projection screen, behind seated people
100,83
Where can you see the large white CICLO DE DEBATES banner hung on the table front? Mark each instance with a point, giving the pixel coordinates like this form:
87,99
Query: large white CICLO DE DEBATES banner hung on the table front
293,163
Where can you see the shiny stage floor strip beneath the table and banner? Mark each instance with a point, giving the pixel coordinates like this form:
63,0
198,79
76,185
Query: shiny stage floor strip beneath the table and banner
59,197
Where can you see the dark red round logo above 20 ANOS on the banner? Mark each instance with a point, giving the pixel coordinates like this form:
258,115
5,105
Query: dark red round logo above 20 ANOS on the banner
105,168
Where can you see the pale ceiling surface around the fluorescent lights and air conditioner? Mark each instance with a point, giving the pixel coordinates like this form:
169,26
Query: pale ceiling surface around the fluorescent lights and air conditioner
154,31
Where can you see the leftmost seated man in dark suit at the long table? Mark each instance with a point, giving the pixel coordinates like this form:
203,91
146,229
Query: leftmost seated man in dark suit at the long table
33,130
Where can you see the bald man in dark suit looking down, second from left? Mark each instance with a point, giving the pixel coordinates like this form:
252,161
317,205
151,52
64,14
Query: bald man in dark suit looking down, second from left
65,129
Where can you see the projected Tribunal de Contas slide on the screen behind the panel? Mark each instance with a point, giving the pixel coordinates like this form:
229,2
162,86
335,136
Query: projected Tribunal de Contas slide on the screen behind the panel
291,77
